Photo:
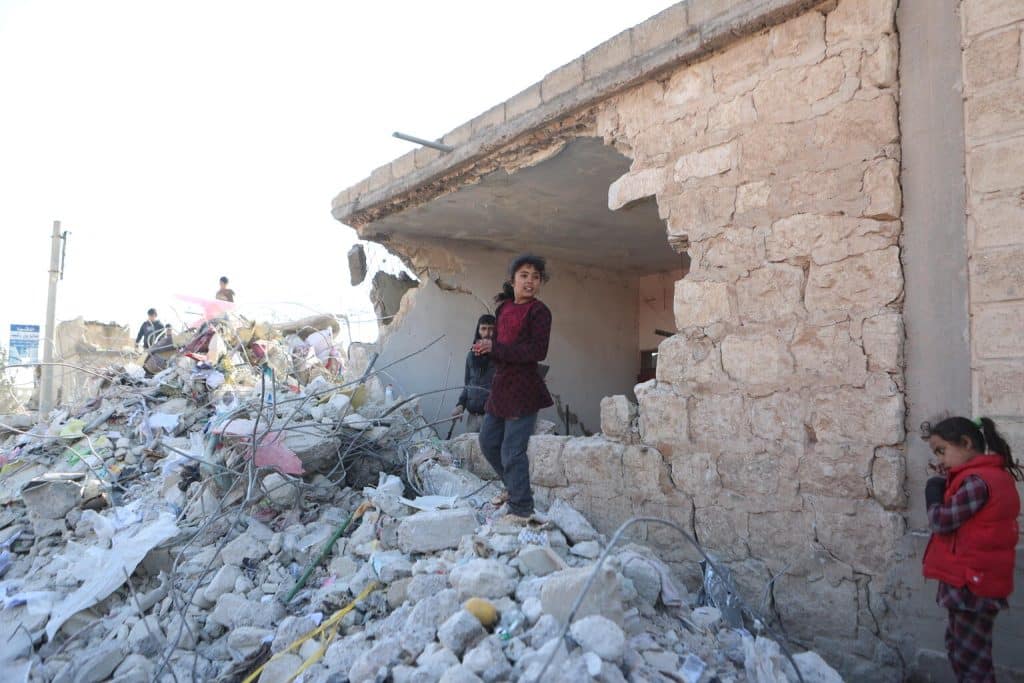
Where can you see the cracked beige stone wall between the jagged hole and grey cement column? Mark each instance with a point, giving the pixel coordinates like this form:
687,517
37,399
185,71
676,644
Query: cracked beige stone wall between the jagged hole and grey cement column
779,410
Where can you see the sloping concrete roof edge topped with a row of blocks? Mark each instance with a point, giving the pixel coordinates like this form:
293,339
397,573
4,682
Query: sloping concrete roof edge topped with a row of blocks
685,32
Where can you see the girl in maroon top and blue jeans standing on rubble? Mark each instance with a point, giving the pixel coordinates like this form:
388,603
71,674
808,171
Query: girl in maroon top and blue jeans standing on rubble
523,330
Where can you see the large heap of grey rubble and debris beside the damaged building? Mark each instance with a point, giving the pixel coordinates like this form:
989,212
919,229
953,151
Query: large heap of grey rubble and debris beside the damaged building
251,503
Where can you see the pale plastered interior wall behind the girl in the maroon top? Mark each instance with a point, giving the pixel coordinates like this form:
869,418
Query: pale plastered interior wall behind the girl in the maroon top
593,351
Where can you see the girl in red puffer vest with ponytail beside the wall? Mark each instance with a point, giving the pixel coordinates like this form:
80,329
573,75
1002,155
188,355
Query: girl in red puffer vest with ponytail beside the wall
972,511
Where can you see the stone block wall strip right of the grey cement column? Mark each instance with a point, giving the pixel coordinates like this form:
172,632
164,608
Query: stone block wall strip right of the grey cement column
994,121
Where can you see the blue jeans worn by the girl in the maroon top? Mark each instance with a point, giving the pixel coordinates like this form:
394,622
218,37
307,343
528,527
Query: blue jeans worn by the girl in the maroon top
504,444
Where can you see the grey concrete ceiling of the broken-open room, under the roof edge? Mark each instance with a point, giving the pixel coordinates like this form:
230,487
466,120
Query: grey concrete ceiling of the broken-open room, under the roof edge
559,209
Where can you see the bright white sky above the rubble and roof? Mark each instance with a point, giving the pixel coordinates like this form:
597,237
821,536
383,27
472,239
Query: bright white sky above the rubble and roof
179,142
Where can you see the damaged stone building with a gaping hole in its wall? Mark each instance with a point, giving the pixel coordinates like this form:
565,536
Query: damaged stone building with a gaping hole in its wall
782,235
